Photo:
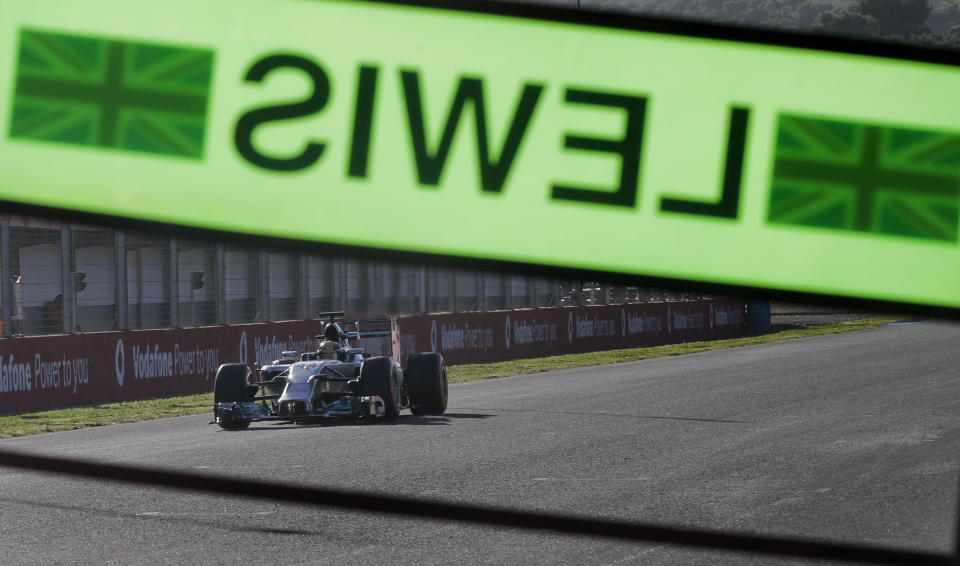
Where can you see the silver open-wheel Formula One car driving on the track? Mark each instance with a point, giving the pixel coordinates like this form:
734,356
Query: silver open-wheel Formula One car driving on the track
335,382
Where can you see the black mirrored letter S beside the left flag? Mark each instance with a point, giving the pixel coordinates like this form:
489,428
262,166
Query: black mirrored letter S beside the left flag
311,105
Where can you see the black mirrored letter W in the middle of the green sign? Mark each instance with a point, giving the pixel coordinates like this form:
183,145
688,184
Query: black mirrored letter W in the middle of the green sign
493,172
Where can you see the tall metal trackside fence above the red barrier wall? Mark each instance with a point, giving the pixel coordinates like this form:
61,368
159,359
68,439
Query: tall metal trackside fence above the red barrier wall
73,278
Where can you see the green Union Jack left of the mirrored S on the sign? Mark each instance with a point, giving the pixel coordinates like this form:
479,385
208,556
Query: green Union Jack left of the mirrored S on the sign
116,94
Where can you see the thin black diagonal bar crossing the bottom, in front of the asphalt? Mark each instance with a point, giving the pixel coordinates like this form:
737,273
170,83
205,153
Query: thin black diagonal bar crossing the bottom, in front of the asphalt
408,506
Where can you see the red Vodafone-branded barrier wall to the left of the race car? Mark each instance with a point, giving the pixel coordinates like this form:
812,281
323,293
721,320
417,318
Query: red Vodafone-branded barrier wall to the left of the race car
62,370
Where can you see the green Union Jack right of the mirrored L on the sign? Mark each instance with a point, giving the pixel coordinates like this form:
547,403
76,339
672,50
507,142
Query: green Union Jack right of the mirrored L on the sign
865,177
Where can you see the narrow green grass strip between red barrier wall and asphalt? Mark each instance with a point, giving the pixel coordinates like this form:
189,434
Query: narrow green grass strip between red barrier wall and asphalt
22,424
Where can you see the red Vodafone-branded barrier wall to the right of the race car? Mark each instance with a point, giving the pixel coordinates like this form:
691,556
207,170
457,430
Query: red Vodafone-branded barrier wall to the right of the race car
505,335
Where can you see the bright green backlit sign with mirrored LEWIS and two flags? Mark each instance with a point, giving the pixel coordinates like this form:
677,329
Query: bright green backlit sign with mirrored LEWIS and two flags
491,136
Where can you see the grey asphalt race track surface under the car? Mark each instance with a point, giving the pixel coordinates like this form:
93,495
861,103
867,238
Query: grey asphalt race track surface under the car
852,438
